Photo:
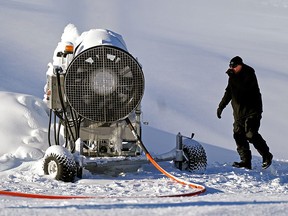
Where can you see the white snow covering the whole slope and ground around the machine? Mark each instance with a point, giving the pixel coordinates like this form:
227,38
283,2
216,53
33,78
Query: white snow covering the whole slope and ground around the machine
184,48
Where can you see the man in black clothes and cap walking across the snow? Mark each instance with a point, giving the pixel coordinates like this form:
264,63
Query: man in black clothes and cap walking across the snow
244,93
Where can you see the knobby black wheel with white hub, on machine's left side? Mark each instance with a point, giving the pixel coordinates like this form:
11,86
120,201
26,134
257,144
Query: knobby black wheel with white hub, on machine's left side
60,167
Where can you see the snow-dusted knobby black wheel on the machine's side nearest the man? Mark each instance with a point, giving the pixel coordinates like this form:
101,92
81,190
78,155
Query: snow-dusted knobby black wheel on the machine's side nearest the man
195,158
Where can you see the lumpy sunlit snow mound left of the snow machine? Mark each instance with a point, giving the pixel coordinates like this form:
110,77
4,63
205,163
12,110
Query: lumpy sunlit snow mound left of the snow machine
23,124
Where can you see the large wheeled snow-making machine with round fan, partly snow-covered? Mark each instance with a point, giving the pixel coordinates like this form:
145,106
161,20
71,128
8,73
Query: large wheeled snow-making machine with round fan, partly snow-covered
94,95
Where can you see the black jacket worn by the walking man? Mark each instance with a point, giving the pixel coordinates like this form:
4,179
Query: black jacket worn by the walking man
243,92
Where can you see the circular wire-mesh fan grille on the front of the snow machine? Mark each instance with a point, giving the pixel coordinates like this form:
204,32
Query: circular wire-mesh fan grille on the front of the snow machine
104,84
